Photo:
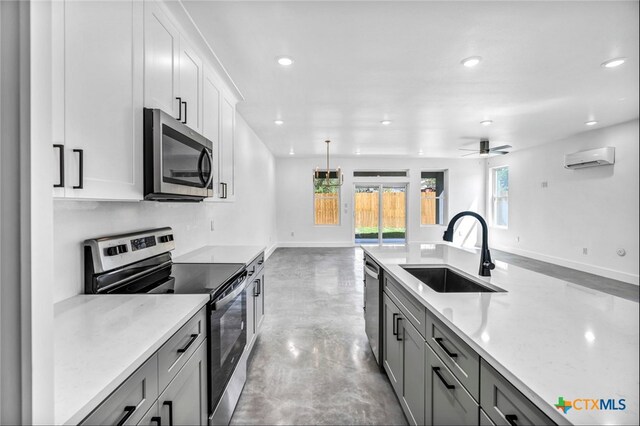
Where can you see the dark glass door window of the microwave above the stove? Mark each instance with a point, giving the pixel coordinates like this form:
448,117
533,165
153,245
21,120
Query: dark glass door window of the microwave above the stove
184,161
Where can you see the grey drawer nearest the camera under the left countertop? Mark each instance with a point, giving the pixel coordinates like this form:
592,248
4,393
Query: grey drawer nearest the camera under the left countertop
131,400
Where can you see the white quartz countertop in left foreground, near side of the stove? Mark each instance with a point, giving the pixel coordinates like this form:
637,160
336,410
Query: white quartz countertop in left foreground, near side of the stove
100,340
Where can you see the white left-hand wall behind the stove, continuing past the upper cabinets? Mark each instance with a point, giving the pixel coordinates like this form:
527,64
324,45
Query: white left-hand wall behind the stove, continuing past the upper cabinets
248,220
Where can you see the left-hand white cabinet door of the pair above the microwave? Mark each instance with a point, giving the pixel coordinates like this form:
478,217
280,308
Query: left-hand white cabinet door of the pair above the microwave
161,59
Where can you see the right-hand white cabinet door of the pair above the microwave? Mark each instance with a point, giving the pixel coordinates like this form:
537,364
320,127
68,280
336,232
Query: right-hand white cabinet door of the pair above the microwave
190,86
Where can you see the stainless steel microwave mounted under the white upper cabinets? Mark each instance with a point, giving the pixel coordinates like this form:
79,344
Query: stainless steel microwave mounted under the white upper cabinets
178,162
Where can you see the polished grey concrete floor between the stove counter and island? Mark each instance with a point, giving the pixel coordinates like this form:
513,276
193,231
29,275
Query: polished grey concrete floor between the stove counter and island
312,363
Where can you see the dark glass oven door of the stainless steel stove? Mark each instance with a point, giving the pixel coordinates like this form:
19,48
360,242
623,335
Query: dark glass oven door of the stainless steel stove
228,338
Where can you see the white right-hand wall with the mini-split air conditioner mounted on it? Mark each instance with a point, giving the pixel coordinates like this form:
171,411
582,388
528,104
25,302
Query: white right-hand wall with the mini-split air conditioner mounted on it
594,208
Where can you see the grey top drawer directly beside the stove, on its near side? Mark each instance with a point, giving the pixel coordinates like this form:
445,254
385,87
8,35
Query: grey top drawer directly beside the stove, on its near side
175,353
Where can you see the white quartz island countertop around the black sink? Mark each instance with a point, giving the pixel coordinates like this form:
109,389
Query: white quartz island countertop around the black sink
549,337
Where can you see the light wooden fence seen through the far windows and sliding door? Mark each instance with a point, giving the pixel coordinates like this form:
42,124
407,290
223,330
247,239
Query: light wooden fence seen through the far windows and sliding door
366,209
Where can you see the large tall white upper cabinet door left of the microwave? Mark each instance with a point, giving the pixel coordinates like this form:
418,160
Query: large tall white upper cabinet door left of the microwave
97,99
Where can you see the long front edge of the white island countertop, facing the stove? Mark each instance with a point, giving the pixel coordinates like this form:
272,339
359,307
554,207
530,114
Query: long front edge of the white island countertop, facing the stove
542,404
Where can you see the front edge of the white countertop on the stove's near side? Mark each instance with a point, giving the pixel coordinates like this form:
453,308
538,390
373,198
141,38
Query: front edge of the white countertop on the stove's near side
95,402
